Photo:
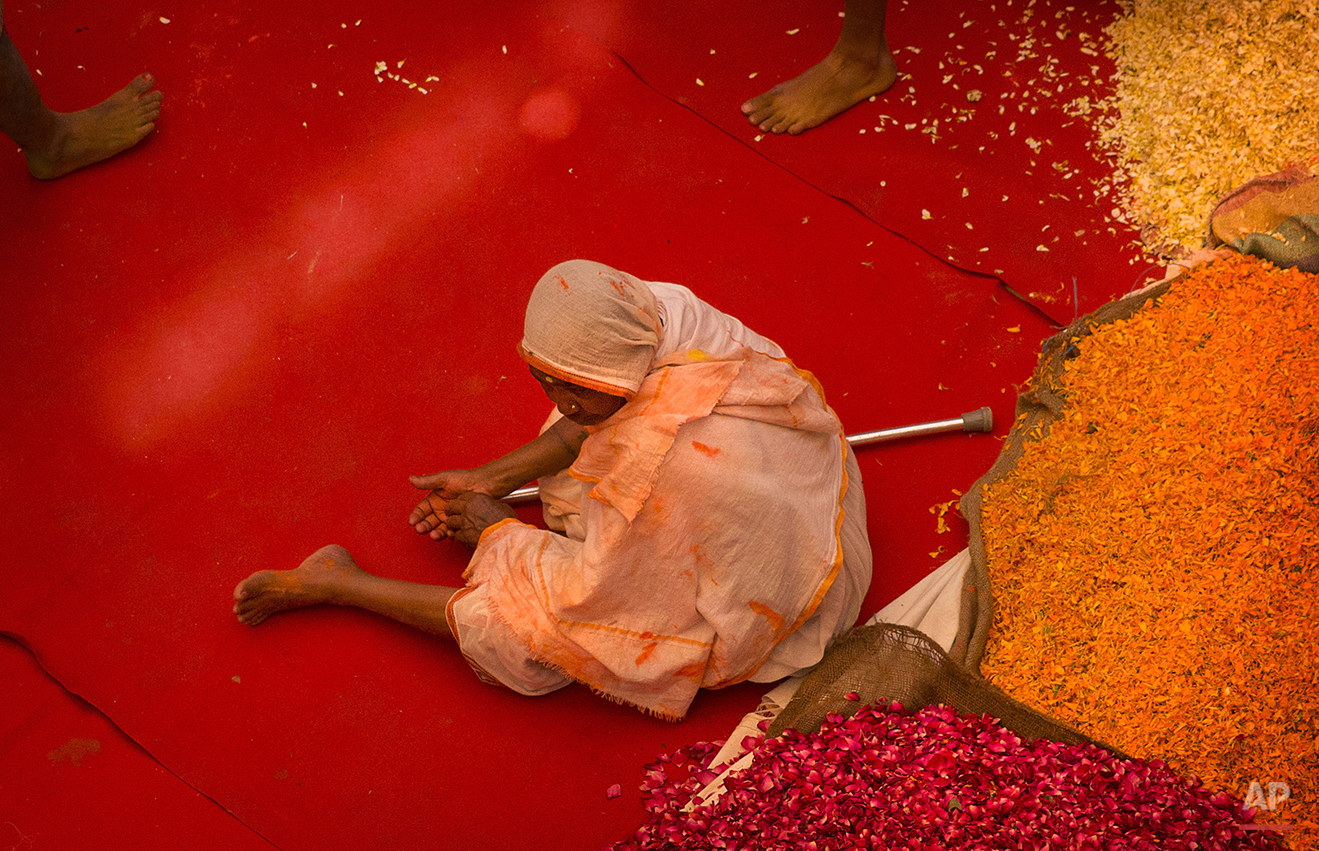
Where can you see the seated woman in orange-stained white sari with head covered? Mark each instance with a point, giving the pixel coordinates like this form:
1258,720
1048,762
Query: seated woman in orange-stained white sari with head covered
706,517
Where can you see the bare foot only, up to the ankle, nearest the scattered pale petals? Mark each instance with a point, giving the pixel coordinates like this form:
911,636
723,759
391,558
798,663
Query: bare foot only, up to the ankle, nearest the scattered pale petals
833,86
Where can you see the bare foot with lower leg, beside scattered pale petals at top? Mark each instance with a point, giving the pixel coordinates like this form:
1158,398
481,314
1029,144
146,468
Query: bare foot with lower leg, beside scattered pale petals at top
858,68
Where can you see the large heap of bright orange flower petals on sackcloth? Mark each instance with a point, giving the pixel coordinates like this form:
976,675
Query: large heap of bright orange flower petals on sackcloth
1155,553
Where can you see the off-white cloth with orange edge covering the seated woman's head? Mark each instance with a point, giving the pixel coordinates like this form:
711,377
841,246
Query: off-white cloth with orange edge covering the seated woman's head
593,327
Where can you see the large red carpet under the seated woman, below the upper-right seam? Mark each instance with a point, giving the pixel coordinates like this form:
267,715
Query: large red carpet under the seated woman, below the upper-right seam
231,346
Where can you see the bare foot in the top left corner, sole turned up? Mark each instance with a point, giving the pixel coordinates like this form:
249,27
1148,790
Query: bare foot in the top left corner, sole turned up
100,133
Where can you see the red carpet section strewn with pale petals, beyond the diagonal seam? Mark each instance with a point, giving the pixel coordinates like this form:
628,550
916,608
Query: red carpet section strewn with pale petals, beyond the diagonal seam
1003,185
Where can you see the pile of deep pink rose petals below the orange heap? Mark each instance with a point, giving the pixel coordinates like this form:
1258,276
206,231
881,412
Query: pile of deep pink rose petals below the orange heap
890,779
